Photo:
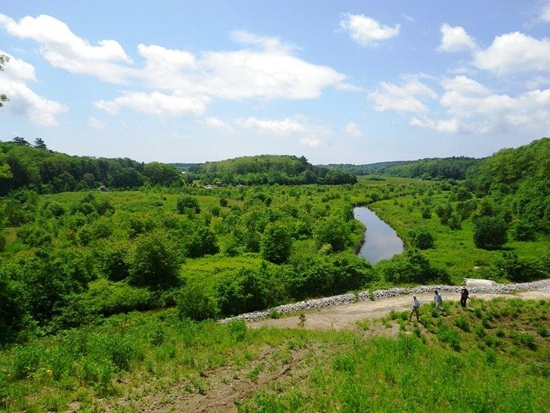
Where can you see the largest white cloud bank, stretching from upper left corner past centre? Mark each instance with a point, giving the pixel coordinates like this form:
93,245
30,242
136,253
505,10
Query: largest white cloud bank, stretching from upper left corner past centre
262,68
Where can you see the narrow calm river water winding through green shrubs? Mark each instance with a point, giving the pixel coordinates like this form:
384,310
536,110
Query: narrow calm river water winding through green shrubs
381,240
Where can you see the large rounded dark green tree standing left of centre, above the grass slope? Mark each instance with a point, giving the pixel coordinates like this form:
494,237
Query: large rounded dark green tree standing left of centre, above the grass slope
154,261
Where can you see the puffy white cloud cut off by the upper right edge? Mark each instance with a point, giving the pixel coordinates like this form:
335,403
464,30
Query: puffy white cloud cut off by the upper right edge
514,53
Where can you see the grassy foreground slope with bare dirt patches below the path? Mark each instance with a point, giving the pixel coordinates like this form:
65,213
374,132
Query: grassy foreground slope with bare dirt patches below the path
493,357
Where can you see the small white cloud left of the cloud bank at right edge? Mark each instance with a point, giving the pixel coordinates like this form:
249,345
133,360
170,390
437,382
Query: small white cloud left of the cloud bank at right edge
407,98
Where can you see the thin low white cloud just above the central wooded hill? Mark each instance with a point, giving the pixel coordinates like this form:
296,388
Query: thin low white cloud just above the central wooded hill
298,126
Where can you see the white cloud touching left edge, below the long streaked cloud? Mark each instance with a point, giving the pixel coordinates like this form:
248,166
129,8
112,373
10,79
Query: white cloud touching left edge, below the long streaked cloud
23,100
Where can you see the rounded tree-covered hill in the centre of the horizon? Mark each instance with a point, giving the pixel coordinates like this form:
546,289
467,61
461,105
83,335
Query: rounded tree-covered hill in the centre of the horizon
268,169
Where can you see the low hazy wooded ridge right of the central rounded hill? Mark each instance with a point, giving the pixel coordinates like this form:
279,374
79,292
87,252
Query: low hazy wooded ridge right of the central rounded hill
429,168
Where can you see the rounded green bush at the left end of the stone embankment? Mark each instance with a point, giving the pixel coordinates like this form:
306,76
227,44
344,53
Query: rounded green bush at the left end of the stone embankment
195,303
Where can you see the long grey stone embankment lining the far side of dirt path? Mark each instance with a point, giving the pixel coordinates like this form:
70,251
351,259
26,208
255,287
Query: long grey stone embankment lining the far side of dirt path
344,299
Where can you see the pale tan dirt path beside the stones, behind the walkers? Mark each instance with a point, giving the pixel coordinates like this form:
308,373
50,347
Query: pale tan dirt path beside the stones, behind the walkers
346,316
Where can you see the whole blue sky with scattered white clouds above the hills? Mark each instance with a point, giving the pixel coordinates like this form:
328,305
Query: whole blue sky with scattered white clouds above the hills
337,82
